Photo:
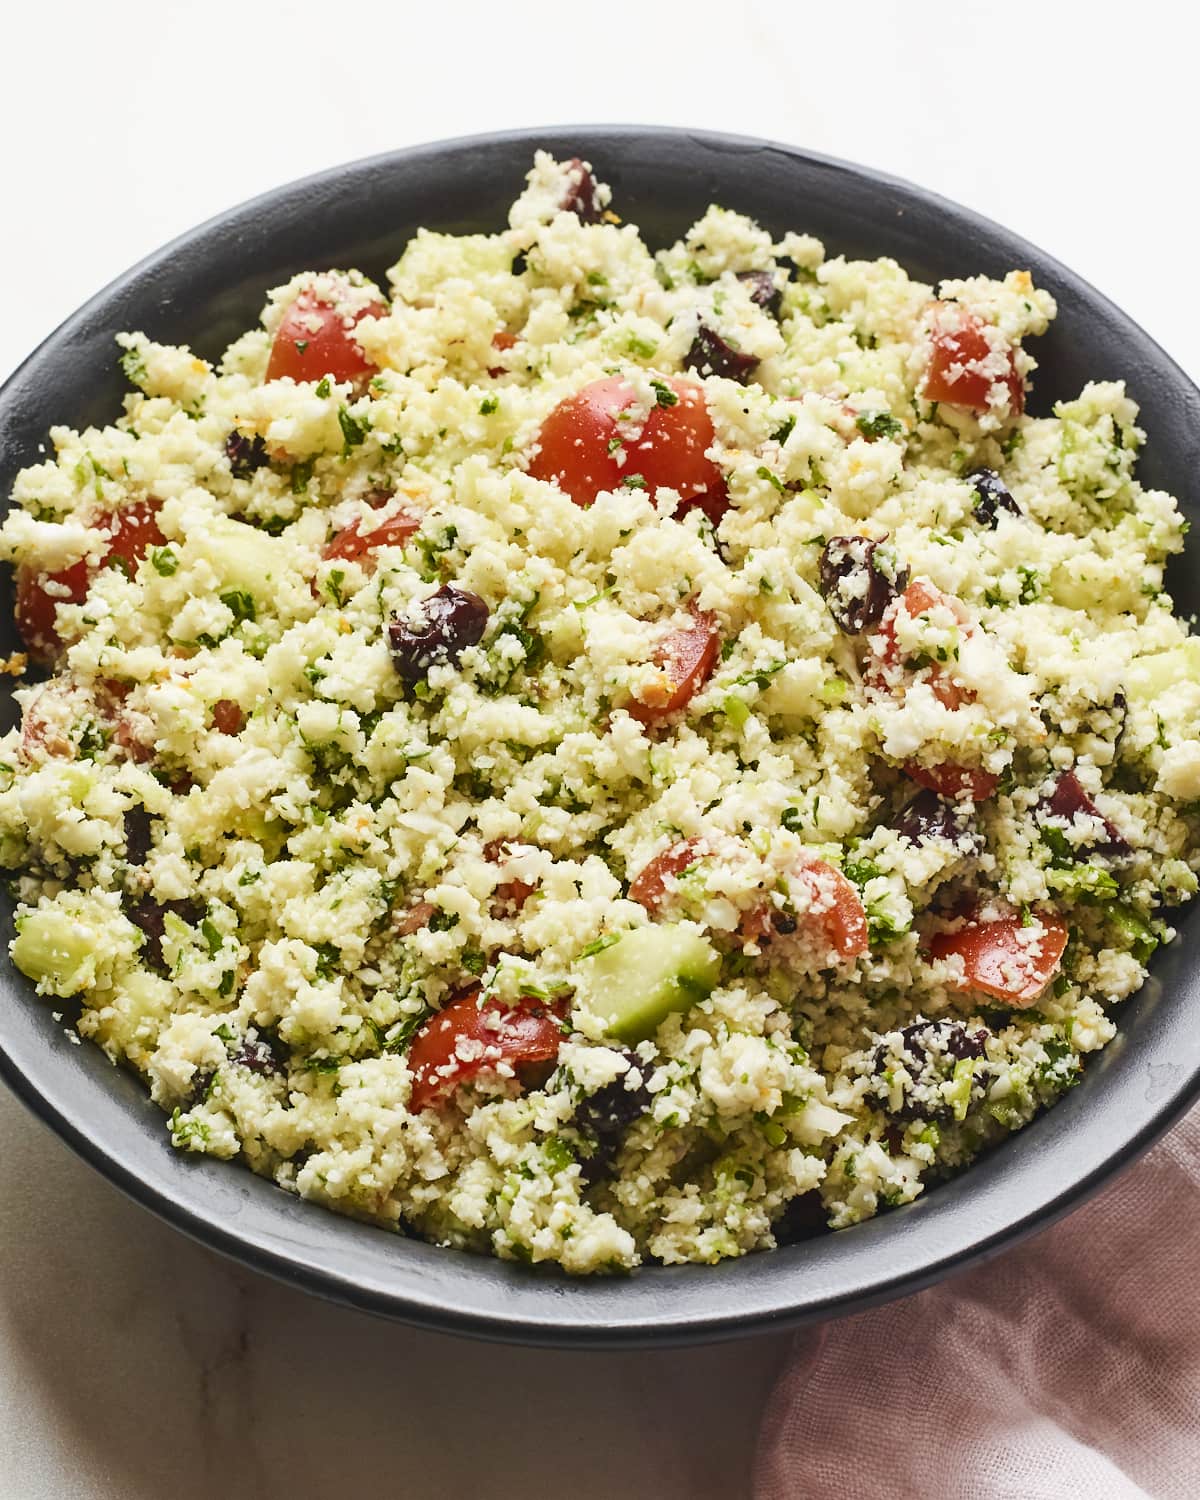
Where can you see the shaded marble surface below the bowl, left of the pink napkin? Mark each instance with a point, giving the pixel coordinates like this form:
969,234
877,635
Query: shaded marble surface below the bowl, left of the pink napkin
160,1369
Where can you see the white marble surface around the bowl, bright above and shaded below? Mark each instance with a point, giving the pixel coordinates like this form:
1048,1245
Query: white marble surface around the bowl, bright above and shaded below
133,1364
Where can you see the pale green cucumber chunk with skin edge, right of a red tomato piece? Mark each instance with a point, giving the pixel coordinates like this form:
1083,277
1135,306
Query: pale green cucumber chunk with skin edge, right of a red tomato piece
632,986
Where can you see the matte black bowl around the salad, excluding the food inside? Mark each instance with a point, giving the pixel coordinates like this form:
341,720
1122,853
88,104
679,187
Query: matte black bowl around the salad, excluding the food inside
206,289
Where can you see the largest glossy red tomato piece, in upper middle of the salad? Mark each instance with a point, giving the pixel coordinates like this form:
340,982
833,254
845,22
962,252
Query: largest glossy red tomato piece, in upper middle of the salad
586,449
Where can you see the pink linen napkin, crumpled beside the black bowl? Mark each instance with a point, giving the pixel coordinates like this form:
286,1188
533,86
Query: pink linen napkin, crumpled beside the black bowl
1066,1369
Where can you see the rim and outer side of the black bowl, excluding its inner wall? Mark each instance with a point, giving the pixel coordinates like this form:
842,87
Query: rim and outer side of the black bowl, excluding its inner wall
655,1306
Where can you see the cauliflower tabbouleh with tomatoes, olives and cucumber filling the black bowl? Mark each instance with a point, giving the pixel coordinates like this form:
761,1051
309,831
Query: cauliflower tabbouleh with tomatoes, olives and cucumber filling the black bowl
602,757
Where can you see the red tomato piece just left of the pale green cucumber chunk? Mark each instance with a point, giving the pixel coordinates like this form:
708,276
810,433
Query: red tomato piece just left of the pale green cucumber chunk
467,1037
